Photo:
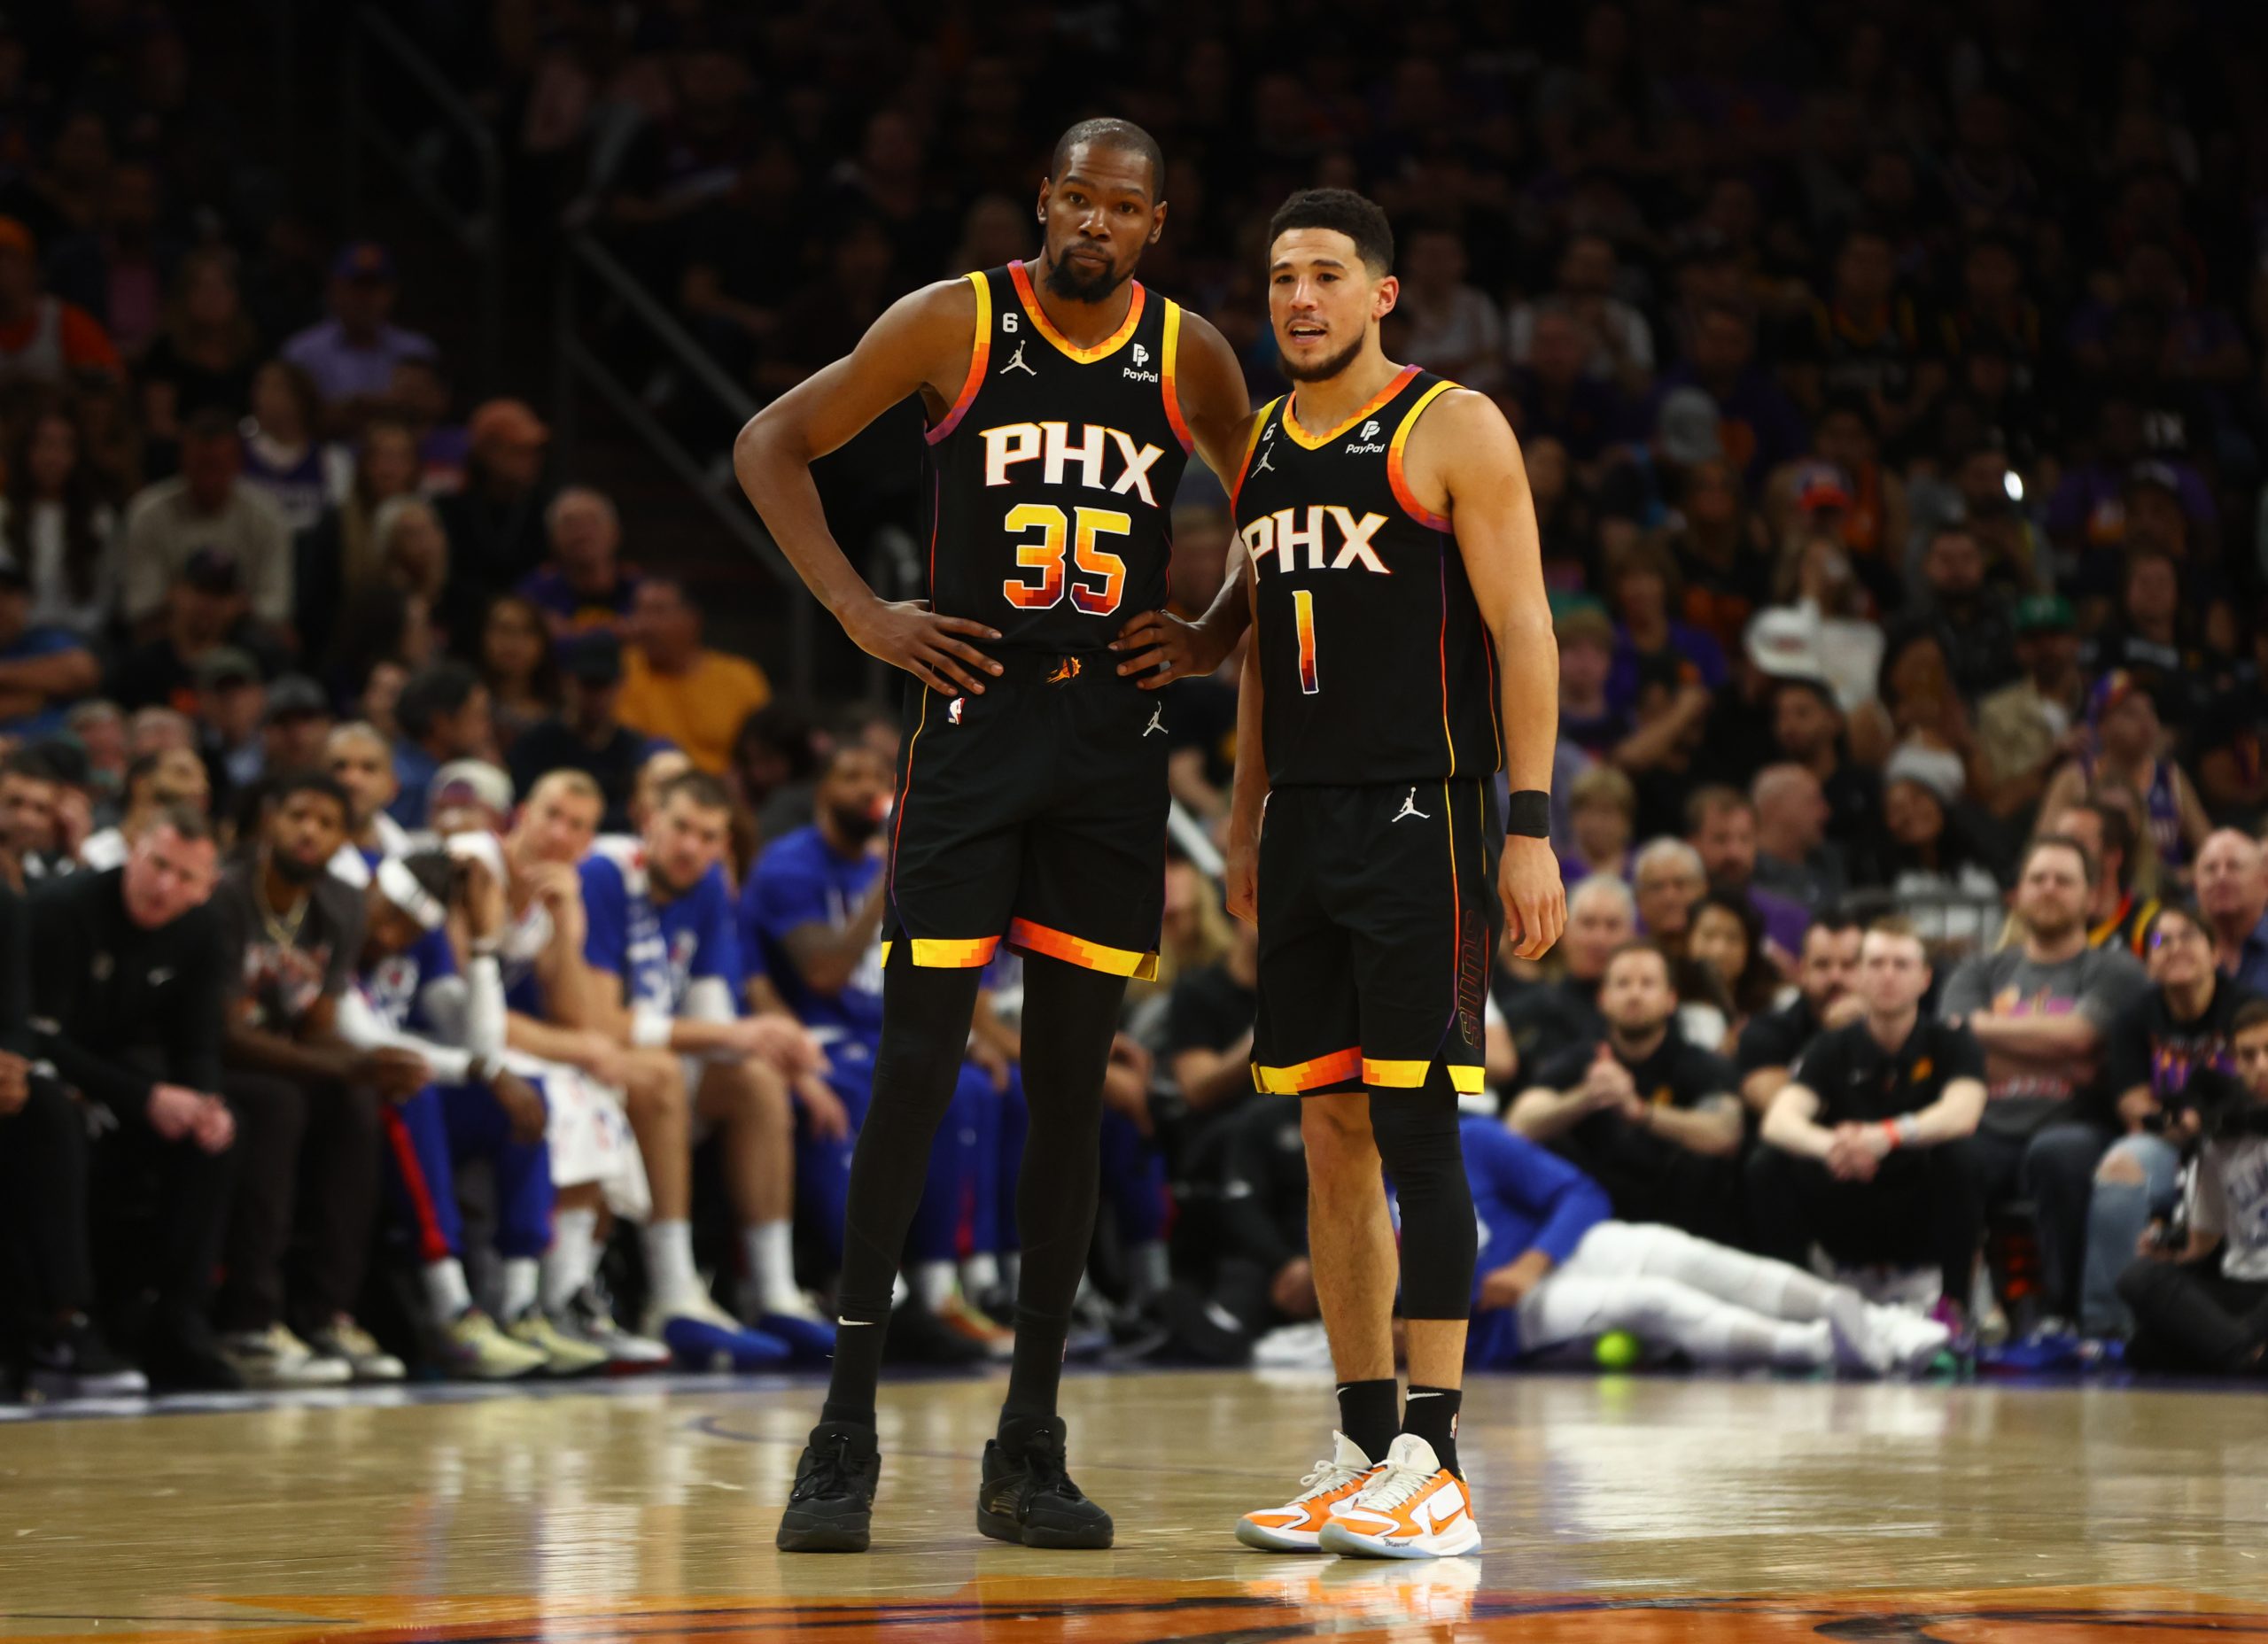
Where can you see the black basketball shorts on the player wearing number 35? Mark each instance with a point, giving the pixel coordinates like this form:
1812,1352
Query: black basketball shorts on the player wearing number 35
1031,815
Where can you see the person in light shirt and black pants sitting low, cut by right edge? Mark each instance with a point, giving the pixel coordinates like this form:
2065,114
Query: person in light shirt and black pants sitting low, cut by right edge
2203,1303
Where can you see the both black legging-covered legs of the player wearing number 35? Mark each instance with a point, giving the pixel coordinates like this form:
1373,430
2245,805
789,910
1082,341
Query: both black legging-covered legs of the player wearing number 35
1069,1017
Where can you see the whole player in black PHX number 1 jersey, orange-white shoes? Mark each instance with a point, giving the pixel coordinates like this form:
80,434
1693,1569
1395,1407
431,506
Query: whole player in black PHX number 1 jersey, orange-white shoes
1403,656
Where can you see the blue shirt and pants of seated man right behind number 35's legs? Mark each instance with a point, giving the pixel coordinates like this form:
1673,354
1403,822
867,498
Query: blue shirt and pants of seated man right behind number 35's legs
799,881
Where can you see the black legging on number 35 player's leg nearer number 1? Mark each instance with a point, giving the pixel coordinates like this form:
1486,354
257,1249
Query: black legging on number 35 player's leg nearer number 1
1069,1017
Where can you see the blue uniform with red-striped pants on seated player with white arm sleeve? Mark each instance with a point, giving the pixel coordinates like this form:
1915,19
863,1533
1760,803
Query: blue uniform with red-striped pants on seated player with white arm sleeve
443,1124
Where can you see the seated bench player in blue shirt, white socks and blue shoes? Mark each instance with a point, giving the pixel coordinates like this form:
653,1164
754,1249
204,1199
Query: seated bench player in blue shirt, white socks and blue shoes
670,976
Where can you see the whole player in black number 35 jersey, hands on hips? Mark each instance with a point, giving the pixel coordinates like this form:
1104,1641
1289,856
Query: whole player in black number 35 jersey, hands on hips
1063,405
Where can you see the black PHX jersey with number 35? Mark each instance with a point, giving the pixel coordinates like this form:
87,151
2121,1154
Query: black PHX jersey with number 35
1053,475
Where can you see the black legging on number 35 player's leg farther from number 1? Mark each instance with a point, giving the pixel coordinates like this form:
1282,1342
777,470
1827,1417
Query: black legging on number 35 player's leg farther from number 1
924,1040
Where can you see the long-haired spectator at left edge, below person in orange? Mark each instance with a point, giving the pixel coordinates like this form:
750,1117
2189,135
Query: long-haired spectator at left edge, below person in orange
56,525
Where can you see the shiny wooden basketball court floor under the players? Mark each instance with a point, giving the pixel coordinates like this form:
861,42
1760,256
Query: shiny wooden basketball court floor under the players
1616,1509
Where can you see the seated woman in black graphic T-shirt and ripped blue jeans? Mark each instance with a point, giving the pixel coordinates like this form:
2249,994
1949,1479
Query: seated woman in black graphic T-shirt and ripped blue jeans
2165,1040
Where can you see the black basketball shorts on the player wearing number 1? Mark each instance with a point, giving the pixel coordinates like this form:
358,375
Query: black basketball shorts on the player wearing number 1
1378,924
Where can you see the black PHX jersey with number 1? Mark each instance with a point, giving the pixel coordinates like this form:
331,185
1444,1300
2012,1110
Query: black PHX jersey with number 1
1376,663
